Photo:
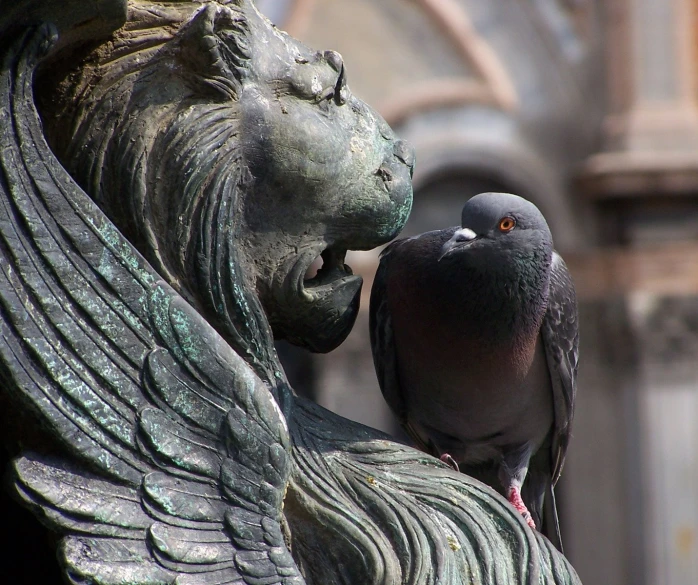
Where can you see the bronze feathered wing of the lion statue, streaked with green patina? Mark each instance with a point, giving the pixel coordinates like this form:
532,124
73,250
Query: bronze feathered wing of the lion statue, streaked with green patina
180,454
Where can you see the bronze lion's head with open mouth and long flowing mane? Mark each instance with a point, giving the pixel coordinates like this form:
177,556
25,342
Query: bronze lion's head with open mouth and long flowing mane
213,140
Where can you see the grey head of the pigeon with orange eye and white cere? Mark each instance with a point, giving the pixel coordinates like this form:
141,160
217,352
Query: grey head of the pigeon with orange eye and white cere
497,228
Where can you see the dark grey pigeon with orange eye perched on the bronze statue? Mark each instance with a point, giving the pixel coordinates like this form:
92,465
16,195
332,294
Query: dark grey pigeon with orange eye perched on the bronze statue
474,334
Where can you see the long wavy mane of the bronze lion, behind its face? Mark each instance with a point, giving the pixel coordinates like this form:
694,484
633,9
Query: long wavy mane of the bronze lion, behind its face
156,108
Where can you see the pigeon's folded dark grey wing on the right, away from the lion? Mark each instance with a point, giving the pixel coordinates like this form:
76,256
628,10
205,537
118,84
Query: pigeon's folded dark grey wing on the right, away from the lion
560,333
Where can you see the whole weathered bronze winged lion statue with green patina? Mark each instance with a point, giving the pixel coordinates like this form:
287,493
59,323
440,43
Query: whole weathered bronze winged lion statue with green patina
157,219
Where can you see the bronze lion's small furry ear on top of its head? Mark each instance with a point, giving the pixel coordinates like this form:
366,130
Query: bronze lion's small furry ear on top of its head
214,48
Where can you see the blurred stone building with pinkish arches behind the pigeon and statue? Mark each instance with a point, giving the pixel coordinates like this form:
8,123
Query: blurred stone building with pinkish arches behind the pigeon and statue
588,108
